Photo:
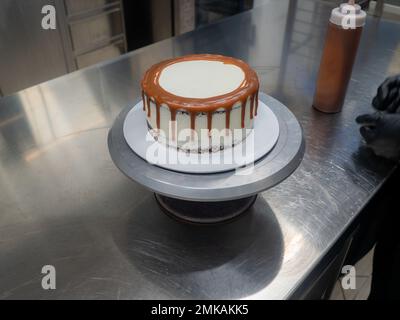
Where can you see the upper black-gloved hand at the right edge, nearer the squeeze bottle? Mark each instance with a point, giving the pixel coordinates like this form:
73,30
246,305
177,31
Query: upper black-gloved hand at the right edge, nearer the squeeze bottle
388,95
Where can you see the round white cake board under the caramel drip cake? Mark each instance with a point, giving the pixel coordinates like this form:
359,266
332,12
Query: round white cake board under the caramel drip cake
261,141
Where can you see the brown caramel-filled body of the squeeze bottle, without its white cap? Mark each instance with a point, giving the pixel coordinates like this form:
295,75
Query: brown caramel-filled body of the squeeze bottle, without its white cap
337,61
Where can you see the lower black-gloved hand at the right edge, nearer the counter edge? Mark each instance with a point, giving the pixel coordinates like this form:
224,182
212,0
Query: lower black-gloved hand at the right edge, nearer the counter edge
381,133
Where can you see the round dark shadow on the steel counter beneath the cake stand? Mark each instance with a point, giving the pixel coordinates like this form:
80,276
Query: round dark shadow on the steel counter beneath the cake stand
225,261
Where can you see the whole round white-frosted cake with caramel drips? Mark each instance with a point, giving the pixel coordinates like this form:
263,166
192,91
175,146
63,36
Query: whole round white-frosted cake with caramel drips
201,102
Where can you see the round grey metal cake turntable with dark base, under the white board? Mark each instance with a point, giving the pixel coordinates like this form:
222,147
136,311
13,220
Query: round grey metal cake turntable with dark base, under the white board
216,197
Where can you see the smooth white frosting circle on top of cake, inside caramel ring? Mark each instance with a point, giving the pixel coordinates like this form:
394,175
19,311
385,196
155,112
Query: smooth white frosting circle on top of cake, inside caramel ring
201,78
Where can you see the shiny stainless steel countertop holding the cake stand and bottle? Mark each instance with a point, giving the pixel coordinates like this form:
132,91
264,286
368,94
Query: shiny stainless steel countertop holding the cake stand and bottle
64,203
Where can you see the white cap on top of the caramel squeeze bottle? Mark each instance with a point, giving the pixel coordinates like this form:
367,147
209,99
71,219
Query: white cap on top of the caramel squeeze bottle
348,16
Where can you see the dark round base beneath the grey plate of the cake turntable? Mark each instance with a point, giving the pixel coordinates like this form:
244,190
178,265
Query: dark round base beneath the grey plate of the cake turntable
204,212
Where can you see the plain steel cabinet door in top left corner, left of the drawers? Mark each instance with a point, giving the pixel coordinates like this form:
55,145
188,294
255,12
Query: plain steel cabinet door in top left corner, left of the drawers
28,54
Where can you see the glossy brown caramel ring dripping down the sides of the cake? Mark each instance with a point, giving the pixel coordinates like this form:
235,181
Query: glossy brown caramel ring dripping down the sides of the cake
247,89
